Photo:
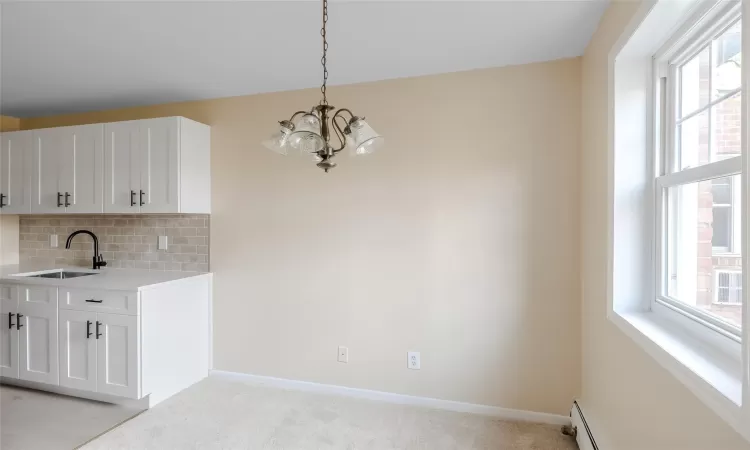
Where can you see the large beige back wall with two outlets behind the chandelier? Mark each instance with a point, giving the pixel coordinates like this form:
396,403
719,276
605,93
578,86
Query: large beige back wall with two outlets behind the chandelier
459,240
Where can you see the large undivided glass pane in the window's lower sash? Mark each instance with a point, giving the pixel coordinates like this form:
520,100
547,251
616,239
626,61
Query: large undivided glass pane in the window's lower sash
704,262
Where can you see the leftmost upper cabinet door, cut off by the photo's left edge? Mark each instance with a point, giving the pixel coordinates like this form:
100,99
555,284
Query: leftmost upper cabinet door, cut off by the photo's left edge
15,172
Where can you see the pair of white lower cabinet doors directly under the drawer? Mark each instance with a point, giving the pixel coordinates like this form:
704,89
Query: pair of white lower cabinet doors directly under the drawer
99,352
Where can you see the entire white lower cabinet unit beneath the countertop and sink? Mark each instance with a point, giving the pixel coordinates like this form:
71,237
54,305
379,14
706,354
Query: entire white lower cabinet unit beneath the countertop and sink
135,347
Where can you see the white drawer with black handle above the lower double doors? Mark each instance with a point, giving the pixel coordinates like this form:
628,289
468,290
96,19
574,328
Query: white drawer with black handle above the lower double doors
117,302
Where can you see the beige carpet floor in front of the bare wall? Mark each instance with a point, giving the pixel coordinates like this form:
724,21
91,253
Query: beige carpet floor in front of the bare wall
222,414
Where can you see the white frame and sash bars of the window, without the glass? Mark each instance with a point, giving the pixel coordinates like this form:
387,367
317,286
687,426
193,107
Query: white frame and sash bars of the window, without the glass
692,38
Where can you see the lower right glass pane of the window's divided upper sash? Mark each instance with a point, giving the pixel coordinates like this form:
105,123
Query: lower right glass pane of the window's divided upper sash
726,129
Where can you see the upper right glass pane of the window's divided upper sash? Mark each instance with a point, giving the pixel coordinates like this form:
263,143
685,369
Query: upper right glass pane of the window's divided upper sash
726,64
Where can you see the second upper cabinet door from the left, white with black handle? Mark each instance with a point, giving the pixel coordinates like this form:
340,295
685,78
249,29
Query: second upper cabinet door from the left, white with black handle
45,179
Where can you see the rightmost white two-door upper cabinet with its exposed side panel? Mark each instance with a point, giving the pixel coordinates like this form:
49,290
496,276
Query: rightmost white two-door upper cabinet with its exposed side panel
157,166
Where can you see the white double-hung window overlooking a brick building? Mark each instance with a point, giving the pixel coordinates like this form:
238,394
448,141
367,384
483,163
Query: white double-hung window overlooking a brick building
699,176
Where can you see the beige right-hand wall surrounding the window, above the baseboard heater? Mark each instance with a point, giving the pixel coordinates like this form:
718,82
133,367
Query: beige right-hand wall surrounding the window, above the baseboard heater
639,404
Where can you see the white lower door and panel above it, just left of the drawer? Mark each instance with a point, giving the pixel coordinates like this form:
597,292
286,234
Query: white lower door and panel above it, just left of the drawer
37,341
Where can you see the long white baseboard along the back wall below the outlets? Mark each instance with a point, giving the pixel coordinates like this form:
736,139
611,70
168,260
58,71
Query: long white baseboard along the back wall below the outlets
387,397
